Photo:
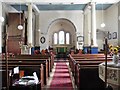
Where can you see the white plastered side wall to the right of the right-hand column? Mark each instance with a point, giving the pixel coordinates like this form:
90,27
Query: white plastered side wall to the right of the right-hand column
111,18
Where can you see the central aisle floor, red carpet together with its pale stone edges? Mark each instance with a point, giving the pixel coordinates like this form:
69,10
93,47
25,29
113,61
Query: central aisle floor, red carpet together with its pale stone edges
61,70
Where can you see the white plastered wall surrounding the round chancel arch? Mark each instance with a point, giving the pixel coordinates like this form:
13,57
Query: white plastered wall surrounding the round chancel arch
46,17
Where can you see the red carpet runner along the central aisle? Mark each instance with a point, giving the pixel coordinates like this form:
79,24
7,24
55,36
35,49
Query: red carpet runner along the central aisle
61,79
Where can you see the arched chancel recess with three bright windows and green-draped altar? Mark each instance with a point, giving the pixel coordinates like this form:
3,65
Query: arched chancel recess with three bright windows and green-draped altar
62,35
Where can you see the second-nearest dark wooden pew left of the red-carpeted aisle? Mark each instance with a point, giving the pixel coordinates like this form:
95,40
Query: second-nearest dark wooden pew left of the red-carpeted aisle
33,62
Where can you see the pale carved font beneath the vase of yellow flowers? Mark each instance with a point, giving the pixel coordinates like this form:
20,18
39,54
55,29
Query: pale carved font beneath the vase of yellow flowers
113,74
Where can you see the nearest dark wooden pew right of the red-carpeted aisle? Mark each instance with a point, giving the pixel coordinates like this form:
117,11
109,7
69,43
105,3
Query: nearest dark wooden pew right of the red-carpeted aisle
87,78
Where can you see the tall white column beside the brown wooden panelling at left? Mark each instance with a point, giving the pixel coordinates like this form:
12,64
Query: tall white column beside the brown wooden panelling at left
29,27
